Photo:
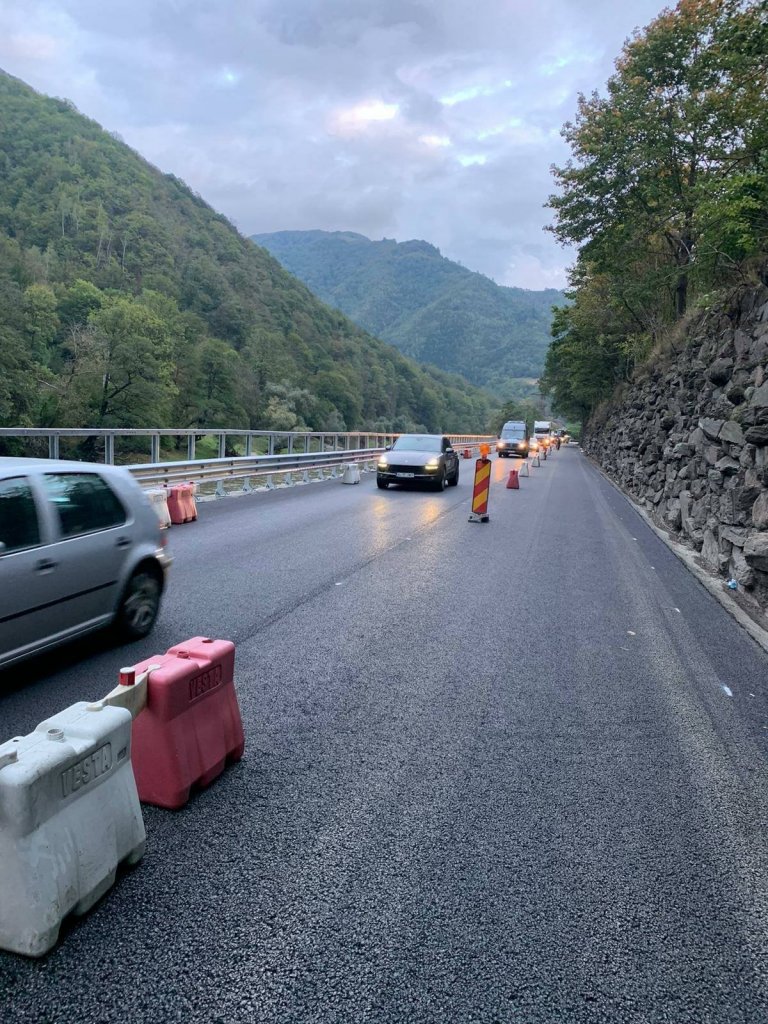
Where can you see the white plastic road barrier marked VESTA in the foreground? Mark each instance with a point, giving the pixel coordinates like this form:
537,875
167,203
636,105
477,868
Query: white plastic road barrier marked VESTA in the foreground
69,816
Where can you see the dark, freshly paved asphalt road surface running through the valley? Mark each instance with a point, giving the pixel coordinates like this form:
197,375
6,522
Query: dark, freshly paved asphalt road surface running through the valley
513,772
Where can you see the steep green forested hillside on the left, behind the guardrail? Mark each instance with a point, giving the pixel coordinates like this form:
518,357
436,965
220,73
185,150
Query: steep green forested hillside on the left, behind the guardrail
125,301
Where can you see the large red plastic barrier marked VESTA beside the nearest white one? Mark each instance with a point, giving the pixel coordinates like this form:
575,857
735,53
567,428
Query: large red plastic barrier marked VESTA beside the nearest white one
191,727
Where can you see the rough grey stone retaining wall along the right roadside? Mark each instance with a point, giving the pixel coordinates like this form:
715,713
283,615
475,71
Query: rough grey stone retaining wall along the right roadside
689,440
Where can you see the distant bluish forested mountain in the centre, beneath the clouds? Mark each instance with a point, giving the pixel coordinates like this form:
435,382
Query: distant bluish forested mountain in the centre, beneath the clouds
429,307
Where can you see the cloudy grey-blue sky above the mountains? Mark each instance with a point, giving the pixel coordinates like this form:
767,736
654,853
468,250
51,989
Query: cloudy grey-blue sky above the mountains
401,119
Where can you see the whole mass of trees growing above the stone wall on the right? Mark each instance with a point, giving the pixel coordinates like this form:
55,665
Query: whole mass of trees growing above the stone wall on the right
666,194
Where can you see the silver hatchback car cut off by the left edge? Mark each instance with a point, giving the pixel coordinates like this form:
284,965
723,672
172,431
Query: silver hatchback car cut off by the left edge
80,548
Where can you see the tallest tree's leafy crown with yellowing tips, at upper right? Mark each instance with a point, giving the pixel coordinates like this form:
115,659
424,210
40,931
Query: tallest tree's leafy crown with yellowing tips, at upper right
685,114
